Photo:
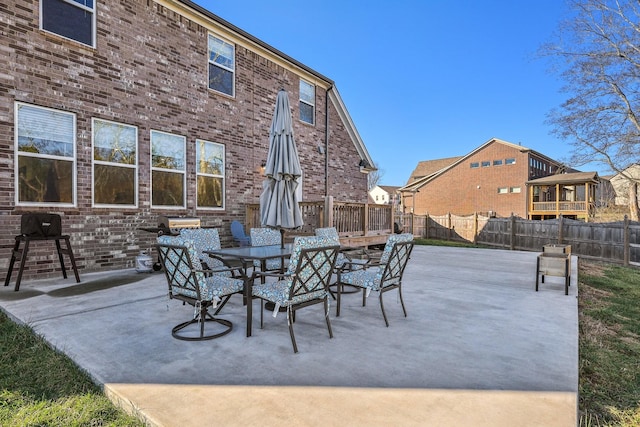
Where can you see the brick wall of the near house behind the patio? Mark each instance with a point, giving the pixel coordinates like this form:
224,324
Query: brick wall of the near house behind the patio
149,69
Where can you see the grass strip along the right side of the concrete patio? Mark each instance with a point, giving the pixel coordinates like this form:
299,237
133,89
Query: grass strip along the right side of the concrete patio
609,343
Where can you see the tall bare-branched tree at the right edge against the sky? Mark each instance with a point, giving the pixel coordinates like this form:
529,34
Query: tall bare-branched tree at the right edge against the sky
597,52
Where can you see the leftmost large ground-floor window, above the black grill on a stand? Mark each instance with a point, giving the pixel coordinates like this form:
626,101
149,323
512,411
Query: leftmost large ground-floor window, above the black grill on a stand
45,153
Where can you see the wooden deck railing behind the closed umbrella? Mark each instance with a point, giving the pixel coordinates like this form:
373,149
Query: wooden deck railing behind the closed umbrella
350,219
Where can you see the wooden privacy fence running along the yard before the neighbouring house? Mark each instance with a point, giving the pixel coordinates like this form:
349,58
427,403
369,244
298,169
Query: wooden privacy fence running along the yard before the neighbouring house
617,242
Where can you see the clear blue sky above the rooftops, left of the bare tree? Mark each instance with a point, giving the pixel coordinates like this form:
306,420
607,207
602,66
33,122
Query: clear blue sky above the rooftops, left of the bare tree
423,79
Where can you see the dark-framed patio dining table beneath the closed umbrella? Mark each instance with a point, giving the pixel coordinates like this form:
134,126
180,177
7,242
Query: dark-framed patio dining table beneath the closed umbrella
246,255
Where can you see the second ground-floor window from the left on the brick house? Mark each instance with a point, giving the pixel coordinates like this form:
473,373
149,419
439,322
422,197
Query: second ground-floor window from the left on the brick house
115,164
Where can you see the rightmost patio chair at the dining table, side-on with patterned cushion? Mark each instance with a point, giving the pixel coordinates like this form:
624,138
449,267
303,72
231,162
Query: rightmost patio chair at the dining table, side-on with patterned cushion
381,276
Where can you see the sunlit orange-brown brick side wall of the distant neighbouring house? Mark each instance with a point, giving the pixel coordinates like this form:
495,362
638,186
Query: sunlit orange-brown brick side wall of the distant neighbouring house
463,190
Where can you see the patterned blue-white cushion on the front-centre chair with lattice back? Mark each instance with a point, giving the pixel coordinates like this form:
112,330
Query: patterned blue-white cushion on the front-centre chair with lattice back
304,280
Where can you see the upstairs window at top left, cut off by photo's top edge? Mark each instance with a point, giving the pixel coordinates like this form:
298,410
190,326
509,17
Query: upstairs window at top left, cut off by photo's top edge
71,19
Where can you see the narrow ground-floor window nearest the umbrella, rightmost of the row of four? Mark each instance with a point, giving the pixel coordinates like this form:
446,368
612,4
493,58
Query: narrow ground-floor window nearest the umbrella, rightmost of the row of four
210,165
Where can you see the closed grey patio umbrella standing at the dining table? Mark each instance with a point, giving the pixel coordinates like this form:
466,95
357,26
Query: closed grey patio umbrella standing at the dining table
279,206
